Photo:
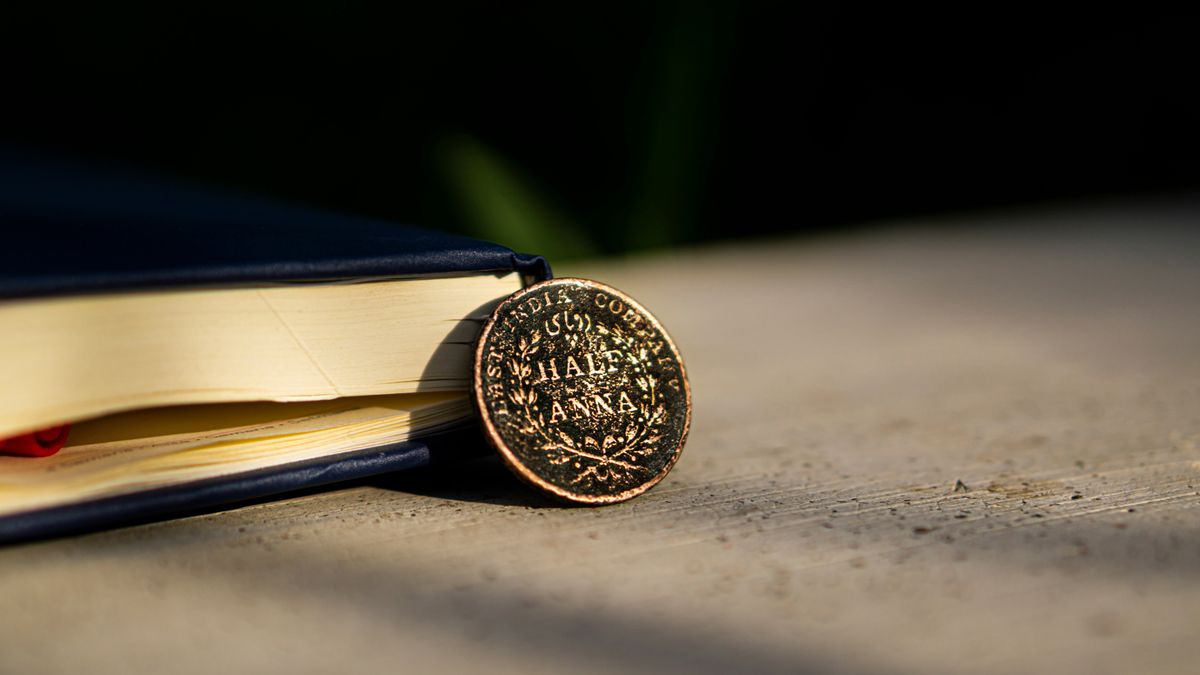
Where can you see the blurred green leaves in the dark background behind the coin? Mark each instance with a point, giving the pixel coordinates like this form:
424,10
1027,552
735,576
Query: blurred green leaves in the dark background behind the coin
657,204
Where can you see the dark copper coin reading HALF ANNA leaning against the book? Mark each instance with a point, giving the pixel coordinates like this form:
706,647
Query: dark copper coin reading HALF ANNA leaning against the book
581,391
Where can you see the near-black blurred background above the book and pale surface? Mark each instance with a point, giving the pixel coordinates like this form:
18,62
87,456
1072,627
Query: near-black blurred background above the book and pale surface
573,130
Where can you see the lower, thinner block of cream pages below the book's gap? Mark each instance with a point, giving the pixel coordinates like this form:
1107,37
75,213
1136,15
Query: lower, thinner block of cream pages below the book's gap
152,450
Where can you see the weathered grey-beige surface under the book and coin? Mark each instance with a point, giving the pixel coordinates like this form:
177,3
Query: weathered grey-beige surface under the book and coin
1048,361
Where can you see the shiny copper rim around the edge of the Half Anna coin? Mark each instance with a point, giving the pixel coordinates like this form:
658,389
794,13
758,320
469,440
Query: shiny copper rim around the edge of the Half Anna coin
511,458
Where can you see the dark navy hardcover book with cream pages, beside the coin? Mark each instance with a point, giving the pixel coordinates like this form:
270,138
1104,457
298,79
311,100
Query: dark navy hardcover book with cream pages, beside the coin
208,348
